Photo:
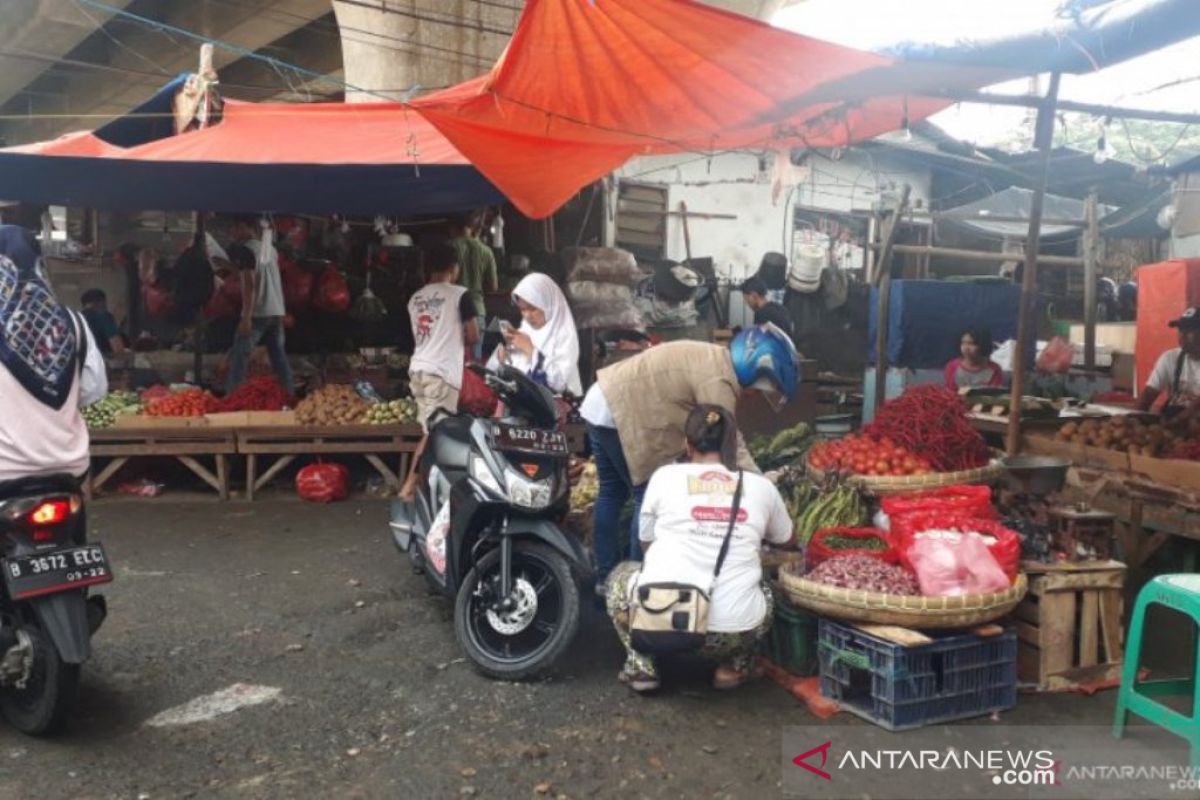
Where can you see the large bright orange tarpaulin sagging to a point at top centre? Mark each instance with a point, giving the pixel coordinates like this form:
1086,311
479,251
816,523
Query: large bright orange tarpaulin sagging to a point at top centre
587,85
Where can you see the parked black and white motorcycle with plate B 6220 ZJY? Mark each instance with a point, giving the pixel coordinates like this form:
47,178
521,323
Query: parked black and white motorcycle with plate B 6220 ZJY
484,531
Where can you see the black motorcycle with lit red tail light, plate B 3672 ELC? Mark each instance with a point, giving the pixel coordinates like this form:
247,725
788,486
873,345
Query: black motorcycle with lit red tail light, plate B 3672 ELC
46,617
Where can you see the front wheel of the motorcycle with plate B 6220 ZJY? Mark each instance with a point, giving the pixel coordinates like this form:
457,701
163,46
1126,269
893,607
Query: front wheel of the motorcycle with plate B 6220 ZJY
526,640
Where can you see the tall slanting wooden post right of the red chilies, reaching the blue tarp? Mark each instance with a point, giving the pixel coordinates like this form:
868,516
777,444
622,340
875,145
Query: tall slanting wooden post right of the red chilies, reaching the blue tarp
1028,318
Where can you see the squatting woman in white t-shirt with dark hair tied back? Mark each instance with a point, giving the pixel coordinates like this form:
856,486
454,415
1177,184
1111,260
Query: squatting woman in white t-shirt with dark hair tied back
683,522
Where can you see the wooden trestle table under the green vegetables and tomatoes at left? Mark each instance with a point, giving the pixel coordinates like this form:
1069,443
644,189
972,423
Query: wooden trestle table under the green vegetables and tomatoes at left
185,444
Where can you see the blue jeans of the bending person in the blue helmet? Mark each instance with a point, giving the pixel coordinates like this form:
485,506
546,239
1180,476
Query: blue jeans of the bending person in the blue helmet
616,489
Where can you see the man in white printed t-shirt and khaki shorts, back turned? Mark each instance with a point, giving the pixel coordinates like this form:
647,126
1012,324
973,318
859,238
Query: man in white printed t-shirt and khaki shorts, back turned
443,318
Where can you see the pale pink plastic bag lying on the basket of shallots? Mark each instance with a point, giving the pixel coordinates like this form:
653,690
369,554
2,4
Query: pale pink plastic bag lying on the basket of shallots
950,564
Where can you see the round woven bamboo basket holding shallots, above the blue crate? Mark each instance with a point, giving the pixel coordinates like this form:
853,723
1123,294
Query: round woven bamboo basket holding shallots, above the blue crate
916,612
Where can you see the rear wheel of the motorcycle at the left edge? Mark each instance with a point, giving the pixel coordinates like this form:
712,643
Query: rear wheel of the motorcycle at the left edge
43,707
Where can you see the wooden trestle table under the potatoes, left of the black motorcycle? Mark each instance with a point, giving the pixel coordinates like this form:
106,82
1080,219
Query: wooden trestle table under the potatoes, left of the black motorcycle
287,443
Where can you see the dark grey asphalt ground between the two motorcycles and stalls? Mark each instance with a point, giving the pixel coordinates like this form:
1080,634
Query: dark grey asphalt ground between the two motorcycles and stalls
365,694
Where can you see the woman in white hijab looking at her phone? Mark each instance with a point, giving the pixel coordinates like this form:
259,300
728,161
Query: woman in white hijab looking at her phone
547,347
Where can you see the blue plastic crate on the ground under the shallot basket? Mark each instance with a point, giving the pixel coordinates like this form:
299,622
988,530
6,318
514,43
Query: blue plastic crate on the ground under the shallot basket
958,676
